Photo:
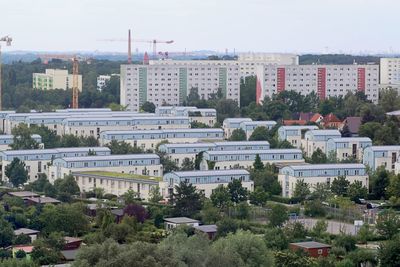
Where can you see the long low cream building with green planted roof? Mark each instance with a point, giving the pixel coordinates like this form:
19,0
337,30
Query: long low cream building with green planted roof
116,183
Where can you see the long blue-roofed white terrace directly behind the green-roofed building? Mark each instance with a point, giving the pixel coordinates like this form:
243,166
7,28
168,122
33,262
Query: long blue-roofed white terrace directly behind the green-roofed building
142,164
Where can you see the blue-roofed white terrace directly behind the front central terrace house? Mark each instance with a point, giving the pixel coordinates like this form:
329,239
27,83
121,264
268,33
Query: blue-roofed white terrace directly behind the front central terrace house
242,159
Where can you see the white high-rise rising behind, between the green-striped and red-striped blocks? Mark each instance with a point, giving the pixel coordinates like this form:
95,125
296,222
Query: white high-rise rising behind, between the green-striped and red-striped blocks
249,61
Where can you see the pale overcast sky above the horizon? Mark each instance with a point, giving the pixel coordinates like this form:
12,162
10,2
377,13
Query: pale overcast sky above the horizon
288,26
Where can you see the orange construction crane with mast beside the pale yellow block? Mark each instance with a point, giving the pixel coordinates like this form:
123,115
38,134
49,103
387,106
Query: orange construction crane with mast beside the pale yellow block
75,71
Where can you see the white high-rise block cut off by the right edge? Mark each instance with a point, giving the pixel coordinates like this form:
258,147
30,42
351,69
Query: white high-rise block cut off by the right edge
390,72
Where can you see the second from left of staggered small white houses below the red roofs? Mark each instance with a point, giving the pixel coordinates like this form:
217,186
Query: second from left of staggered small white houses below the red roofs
315,139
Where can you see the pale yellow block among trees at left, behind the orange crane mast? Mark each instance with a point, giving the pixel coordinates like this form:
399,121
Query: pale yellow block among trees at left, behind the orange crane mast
54,79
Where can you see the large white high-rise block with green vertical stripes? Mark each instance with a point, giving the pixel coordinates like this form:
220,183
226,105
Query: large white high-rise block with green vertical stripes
169,81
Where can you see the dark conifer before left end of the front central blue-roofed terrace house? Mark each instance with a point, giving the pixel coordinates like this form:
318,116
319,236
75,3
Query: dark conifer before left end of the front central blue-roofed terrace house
187,200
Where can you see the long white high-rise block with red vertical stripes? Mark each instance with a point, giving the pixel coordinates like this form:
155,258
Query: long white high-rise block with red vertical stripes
324,80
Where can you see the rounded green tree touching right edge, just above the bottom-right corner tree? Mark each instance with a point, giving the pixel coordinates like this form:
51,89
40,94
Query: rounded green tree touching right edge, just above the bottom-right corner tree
388,223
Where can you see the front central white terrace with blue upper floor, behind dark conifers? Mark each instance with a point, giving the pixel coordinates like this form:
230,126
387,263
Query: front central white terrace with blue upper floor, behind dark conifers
206,181
